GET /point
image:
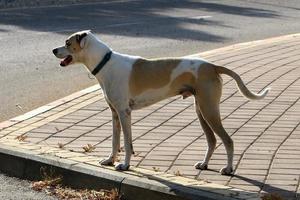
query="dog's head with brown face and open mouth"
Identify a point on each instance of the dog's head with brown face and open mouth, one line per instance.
(71, 52)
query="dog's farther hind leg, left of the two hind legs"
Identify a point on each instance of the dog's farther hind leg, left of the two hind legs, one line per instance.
(211, 140)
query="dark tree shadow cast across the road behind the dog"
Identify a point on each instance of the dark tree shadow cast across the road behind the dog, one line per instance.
(133, 18)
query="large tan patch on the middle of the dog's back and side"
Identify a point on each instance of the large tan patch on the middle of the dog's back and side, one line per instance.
(151, 74)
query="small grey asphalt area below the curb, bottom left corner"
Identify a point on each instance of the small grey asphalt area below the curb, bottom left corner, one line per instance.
(16, 189)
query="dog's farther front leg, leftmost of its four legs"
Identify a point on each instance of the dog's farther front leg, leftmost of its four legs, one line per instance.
(115, 139)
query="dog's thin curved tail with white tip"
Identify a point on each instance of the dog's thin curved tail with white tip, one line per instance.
(241, 85)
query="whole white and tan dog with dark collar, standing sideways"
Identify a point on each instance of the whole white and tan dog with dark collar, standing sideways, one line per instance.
(131, 82)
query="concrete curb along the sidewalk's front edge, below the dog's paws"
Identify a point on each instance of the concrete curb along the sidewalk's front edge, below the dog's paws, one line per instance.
(25, 160)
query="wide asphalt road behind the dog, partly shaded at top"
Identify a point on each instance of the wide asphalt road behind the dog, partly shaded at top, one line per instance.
(30, 75)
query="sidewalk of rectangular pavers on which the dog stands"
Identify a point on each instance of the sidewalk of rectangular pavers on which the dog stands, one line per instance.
(168, 137)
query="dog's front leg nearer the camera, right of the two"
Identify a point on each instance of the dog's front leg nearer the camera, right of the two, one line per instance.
(125, 118)
